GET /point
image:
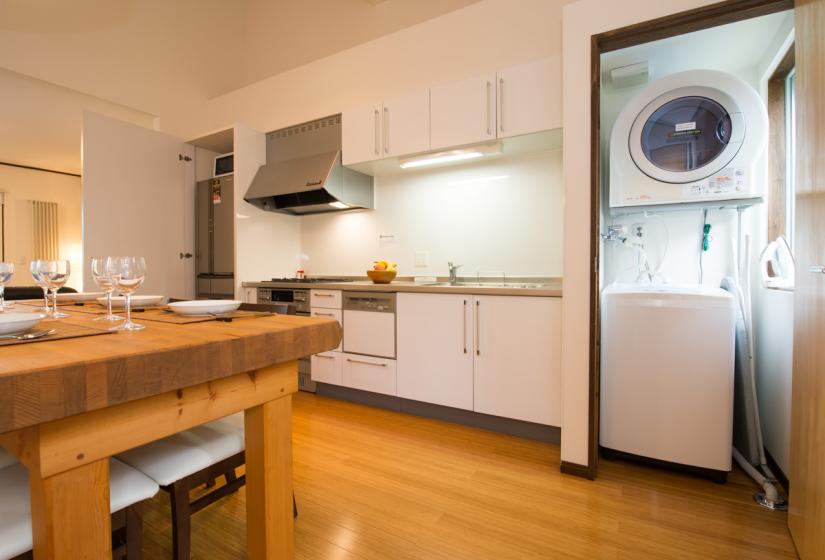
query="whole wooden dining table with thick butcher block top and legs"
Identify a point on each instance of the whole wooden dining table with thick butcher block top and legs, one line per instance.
(68, 405)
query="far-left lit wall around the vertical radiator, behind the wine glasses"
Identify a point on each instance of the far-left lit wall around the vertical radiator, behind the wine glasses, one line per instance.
(23, 185)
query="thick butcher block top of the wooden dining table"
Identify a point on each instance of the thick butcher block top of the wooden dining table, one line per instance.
(48, 380)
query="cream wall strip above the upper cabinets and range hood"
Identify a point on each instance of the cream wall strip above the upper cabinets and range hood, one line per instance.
(479, 38)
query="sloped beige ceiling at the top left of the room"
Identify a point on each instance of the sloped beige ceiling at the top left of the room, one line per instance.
(158, 56)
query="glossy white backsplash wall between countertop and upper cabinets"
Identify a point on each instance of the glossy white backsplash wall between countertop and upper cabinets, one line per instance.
(504, 215)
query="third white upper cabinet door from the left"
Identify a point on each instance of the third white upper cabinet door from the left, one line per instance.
(463, 112)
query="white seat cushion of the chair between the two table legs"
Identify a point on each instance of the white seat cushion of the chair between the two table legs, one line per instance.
(180, 455)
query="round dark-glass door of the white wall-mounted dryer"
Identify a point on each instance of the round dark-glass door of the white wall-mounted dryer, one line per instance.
(686, 135)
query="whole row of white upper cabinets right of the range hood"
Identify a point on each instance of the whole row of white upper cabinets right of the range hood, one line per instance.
(510, 102)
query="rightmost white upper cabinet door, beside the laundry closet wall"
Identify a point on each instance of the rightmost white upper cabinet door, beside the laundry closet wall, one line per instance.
(529, 97)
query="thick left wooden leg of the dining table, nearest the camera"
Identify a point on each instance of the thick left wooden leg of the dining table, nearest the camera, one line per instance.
(70, 513)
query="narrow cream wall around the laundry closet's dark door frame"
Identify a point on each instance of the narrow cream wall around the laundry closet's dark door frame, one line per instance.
(582, 20)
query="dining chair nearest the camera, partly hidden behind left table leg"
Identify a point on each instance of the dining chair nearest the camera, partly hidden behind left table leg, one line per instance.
(128, 488)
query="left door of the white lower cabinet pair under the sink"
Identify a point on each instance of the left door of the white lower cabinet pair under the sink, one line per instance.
(435, 353)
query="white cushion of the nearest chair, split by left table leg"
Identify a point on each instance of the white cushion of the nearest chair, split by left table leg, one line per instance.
(127, 487)
